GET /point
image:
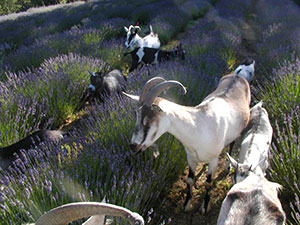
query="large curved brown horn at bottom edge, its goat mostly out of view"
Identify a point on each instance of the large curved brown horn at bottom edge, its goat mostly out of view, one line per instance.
(74, 211)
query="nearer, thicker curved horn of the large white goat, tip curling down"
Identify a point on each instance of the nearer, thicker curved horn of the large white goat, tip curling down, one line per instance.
(156, 90)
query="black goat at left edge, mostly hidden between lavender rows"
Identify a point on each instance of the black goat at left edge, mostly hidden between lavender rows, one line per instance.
(31, 141)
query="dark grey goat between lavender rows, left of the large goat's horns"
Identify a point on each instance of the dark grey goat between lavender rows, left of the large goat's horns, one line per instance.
(103, 86)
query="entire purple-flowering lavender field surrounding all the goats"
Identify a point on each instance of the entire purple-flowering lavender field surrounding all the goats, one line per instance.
(44, 61)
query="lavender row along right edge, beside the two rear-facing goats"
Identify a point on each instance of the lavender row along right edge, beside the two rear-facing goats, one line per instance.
(280, 95)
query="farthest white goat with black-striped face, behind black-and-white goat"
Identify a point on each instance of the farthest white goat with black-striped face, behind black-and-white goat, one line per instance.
(134, 41)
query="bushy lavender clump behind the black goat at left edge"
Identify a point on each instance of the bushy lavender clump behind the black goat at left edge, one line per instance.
(45, 97)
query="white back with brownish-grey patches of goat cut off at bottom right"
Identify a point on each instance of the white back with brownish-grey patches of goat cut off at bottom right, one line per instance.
(252, 201)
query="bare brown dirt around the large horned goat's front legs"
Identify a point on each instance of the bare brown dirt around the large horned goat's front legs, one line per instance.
(173, 208)
